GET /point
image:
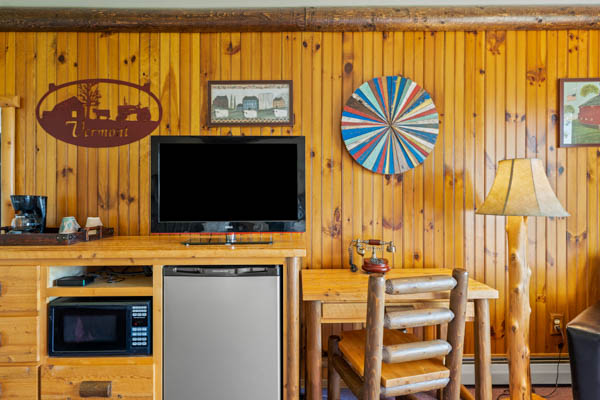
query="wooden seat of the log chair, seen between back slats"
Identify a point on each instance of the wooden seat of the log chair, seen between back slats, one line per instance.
(352, 347)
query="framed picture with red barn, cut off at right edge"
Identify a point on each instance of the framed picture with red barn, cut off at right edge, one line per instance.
(579, 112)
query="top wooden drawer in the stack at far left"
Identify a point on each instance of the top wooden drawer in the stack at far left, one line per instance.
(18, 289)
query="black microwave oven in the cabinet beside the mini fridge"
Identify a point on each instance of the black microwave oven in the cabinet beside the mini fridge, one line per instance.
(100, 326)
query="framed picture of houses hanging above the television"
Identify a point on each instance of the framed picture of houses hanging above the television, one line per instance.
(247, 103)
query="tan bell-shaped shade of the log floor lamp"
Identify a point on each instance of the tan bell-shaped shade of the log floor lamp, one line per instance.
(521, 188)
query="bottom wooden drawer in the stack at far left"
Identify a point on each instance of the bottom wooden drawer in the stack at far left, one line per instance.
(18, 383)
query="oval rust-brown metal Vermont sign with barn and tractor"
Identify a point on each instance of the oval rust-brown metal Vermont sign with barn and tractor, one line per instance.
(92, 117)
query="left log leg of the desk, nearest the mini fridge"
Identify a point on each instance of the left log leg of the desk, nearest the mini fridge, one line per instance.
(314, 351)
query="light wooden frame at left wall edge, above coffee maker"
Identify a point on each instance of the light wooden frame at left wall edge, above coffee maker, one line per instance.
(8, 106)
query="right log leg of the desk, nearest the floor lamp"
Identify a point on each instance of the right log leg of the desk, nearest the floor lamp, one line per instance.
(483, 351)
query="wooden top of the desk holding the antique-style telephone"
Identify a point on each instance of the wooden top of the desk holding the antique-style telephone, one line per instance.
(342, 285)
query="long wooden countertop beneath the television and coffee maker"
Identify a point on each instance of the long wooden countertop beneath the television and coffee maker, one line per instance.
(138, 250)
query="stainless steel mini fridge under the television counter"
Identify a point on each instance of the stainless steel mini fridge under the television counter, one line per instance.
(222, 333)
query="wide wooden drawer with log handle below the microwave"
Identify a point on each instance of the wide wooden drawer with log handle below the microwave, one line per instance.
(101, 381)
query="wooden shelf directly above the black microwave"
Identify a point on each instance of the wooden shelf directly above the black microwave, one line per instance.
(129, 286)
